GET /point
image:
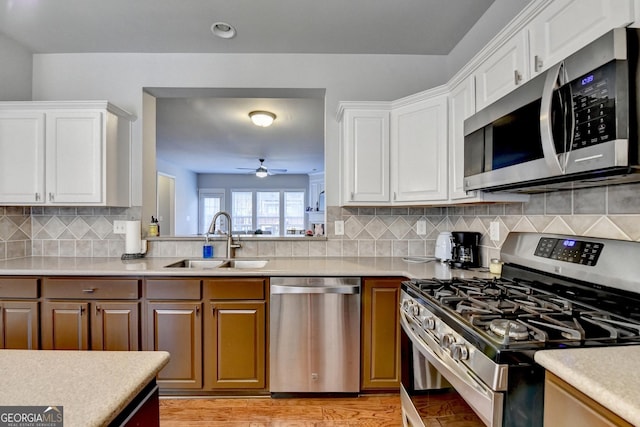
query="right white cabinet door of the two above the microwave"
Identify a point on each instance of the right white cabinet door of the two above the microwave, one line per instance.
(565, 26)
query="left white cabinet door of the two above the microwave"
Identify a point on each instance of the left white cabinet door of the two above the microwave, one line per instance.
(503, 71)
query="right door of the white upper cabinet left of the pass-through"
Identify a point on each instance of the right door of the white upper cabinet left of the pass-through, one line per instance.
(74, 157)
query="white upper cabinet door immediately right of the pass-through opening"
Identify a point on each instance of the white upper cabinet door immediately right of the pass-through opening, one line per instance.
(365, 166)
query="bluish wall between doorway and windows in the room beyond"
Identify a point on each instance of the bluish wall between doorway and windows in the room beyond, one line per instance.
(186, 206)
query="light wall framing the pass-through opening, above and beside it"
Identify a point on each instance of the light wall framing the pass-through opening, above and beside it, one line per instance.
(120, 78)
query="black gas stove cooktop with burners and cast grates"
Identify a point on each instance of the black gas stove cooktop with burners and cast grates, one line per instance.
(512, 314)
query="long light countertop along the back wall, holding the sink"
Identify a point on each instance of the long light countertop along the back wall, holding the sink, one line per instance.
(303, 266)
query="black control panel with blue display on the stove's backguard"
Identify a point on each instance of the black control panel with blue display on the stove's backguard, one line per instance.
(569, 250)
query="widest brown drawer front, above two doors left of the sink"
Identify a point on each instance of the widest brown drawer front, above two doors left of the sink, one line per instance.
(83, 288)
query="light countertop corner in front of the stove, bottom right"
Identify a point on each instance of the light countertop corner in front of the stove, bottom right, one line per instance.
(608, 375)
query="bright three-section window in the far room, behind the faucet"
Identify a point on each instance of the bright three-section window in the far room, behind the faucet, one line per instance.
(275, 212)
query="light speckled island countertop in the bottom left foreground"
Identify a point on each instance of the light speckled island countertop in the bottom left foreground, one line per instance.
(93, 387)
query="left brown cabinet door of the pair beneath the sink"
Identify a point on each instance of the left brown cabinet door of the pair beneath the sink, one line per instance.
(176, 327)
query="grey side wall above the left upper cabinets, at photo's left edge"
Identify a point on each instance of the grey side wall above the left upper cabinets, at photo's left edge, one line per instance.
(15, 71)
